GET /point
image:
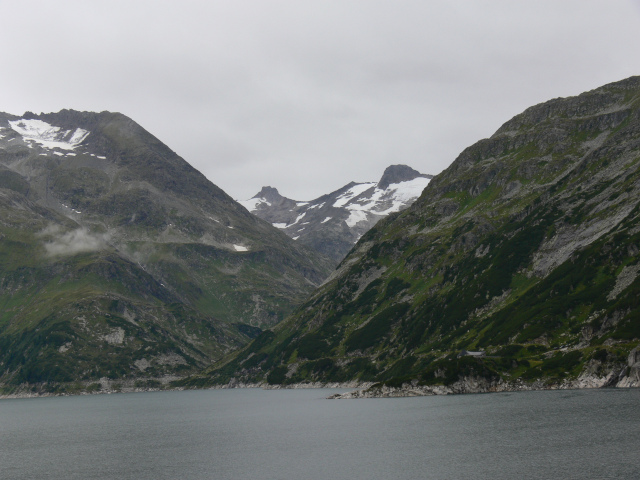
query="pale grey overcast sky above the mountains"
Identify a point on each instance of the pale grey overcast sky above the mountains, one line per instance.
(306, 95)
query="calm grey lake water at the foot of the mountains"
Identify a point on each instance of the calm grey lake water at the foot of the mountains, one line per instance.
(296, 434)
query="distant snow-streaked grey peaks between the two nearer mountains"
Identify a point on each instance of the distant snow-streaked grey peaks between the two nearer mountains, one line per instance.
(333, 223)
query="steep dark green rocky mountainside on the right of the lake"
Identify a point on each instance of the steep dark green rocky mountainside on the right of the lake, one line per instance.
(518, 267)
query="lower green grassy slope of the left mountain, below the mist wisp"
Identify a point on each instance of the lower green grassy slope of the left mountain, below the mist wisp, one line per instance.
(90, 315)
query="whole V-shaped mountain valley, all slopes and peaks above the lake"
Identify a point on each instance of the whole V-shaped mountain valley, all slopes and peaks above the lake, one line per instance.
(516, 268)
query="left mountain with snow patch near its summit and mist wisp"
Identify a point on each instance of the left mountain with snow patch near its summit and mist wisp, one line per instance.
(119, 260)
